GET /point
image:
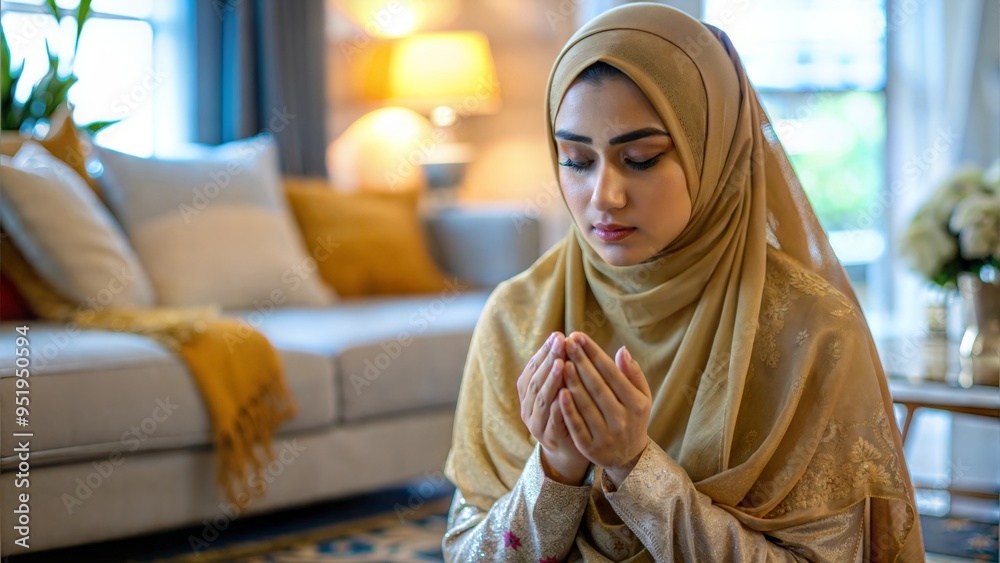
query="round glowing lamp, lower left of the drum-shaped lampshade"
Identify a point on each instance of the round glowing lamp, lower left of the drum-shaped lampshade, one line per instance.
(381, 151)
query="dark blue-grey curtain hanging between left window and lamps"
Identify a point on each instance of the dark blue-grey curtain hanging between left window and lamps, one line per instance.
(260, 67)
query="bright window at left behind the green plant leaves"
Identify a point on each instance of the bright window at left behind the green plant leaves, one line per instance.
(128, 63)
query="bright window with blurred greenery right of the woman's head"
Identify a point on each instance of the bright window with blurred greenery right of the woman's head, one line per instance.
(820, 67)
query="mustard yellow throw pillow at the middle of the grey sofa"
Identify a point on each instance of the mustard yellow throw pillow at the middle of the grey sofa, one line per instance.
(365, 243)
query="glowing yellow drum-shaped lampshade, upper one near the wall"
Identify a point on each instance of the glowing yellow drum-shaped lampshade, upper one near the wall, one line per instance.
(452, 70)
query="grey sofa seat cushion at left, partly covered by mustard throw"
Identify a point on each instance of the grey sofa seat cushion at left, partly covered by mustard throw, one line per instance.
(94, 392)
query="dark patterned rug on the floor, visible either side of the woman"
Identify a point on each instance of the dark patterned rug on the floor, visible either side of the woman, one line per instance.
(382, 527)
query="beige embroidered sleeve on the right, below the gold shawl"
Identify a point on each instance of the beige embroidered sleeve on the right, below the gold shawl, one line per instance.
(659, 503)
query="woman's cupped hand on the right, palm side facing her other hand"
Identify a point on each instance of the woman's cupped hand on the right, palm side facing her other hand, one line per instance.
(607, 404)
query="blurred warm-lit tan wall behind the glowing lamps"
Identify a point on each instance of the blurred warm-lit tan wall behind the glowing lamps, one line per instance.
(511, 161)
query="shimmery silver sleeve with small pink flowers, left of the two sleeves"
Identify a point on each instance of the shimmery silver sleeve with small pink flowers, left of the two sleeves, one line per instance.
(536, 521)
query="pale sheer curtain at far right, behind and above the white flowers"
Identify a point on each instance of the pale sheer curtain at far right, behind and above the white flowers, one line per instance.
(943, 110)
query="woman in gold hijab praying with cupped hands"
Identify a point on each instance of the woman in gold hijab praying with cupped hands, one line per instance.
(687, 376)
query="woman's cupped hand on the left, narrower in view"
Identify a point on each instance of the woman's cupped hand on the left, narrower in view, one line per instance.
(538, 387)
